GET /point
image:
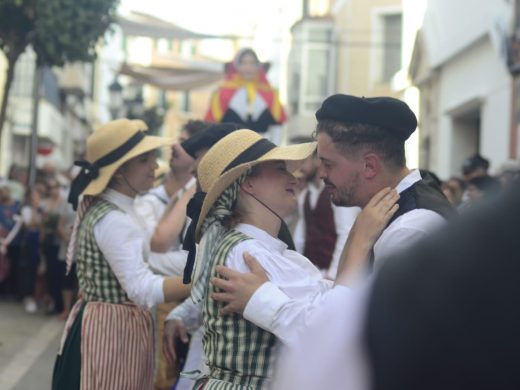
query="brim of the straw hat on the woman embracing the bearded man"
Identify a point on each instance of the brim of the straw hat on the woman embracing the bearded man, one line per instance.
(293, 155)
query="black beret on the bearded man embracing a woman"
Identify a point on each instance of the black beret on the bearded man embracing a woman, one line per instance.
(388, 113)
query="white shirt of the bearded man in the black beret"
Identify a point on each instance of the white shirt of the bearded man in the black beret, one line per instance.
(338, 314)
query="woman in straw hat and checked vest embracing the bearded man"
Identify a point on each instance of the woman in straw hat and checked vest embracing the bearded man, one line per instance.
(247, 189)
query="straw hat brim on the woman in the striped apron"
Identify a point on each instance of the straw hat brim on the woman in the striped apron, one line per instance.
(148, 143)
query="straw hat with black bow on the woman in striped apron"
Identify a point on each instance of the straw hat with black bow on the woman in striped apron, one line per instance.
(109, 147)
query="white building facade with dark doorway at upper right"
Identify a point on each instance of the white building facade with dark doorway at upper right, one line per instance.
(460, 66)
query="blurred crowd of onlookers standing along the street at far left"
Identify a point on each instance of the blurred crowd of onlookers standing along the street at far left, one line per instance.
(35, 225)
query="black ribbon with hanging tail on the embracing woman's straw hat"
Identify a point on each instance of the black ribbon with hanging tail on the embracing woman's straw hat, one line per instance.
(254, 152)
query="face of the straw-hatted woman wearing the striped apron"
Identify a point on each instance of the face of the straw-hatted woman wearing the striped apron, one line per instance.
(140, 171)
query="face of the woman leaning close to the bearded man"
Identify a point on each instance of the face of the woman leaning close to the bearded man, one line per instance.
(274, 186)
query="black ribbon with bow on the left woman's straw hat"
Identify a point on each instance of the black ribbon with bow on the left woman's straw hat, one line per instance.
(90, 171)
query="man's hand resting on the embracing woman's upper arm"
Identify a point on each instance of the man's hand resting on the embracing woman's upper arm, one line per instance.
(238, 287)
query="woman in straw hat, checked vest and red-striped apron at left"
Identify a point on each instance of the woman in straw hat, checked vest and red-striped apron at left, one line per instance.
(108, 338)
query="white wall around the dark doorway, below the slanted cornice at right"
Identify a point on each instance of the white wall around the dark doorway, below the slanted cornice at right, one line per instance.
(477, 74)
